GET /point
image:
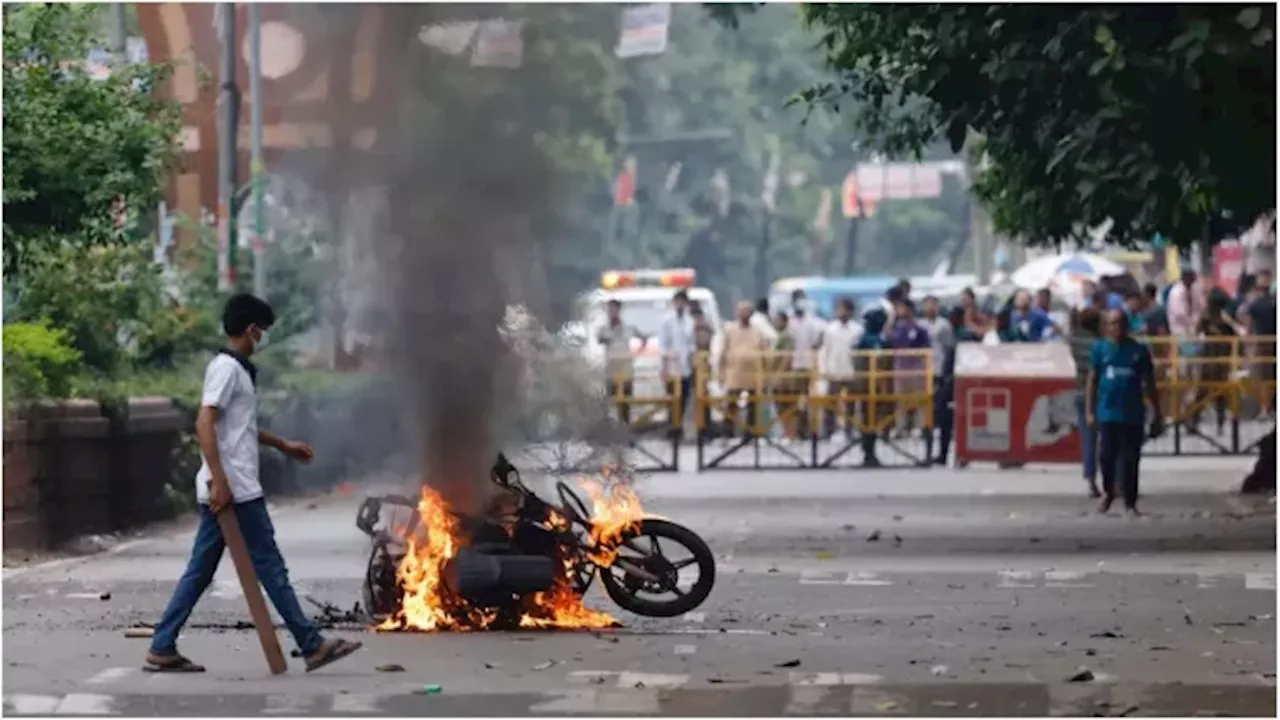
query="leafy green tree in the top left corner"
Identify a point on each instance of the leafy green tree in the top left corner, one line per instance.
(75, 147)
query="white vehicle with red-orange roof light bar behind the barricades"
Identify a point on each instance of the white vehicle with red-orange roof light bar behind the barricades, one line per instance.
(646, 298)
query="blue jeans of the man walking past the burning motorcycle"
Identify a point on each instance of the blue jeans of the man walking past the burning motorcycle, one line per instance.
(208, 552)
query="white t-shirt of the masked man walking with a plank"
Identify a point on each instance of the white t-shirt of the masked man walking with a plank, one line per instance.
(230, 389)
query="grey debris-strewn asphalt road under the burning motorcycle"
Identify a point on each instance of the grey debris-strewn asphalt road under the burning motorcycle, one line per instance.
(984, 594)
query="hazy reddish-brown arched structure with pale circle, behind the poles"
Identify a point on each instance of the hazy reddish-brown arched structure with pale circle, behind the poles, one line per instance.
(326, 71)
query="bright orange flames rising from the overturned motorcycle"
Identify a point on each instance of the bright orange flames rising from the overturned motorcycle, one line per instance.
(428, 604)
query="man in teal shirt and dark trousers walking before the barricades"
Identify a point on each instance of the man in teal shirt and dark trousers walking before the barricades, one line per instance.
(1121, 373)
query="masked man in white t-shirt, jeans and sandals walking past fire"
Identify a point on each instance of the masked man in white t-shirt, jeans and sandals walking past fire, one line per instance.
(228, 480)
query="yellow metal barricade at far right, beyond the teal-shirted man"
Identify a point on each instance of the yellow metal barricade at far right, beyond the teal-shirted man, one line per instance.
(1218, 395)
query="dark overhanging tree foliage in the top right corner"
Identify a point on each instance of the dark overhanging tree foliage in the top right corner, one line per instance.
(1158, 119)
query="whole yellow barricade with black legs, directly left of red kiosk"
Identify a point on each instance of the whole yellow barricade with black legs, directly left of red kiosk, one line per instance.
(784, 418)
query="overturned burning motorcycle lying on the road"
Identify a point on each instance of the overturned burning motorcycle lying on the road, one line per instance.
(529, 567)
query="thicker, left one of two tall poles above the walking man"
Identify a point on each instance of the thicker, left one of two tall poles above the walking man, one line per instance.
(228, 125)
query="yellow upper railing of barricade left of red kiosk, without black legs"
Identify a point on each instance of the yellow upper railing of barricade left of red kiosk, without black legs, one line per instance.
(756, 393)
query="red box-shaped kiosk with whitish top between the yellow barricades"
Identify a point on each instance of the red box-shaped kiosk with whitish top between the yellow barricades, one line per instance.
(1016, 404)
